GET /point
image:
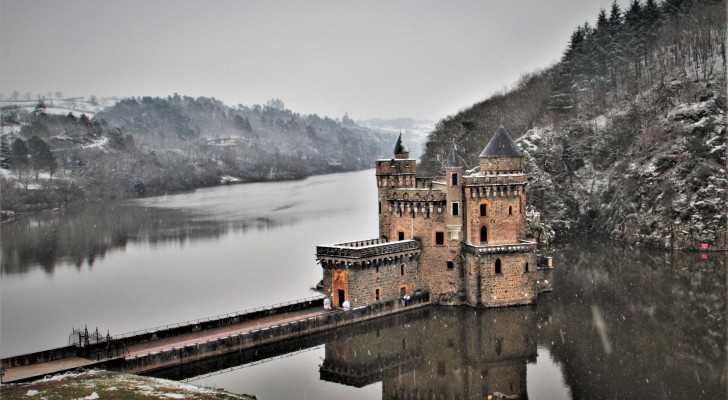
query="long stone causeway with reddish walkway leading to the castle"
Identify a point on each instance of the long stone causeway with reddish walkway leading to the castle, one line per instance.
(175, 345)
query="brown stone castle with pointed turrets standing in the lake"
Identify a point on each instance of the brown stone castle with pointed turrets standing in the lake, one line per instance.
(461, 237)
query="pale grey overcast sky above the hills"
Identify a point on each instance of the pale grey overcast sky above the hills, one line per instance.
(421, 59)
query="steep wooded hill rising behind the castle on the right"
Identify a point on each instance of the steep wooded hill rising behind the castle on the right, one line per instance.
(624, 137)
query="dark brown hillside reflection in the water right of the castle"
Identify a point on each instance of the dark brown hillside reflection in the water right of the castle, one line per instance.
(639, 323)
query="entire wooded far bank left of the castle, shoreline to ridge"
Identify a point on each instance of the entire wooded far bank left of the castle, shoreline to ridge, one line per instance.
(151, 145)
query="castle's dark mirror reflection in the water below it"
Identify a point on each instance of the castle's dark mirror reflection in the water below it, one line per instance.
(449, 353)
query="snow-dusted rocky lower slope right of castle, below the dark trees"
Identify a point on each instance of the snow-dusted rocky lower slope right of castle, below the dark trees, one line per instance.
(662, 183)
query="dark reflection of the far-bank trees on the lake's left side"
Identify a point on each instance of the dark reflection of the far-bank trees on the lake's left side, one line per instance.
(82, 235)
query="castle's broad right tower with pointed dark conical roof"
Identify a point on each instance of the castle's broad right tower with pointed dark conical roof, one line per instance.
(500, 263)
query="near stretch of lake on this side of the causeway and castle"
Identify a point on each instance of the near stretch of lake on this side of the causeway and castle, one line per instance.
(621, 322)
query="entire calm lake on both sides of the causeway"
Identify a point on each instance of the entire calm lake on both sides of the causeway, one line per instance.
(621, 323)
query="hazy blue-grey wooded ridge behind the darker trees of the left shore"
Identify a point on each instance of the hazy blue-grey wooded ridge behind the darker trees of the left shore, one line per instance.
(271, 137)
